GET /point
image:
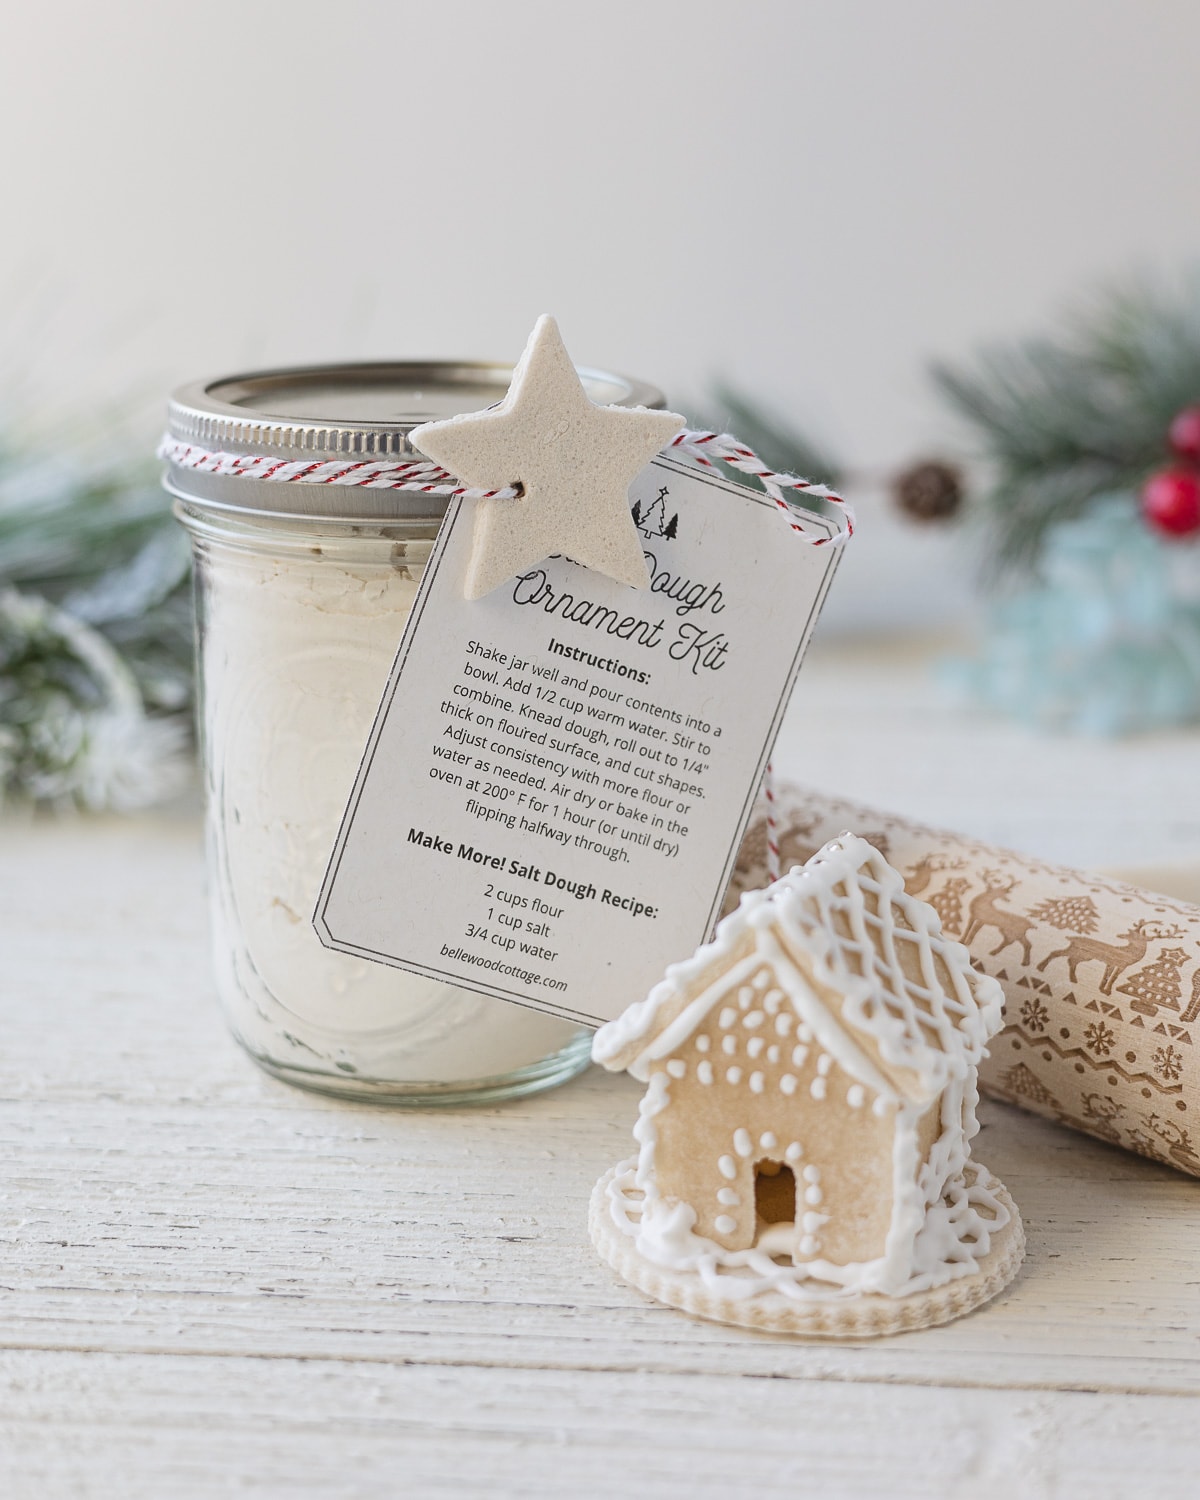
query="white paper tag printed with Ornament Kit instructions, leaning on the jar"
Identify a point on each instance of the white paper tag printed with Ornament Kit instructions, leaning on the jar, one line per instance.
(560, 775)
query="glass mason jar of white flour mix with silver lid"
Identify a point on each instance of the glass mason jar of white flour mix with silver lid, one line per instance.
(302, 596)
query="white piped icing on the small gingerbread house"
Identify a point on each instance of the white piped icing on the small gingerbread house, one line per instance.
(938, 1231)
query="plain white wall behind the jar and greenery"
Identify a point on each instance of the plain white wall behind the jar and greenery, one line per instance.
(809, 200)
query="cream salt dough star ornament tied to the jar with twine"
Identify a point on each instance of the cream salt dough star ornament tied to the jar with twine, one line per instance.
(575, 463)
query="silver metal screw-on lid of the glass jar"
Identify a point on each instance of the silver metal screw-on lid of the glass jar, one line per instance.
(328, 412)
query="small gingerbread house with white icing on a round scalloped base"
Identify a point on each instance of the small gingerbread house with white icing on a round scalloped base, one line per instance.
(805, 1141)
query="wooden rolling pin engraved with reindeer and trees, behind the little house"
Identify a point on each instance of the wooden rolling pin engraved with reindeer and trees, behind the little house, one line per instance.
(1102, 980)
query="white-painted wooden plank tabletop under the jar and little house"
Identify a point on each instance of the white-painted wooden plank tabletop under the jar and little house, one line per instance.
(212, 1283)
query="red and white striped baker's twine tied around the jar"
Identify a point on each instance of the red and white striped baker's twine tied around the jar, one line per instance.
(419, 476)
